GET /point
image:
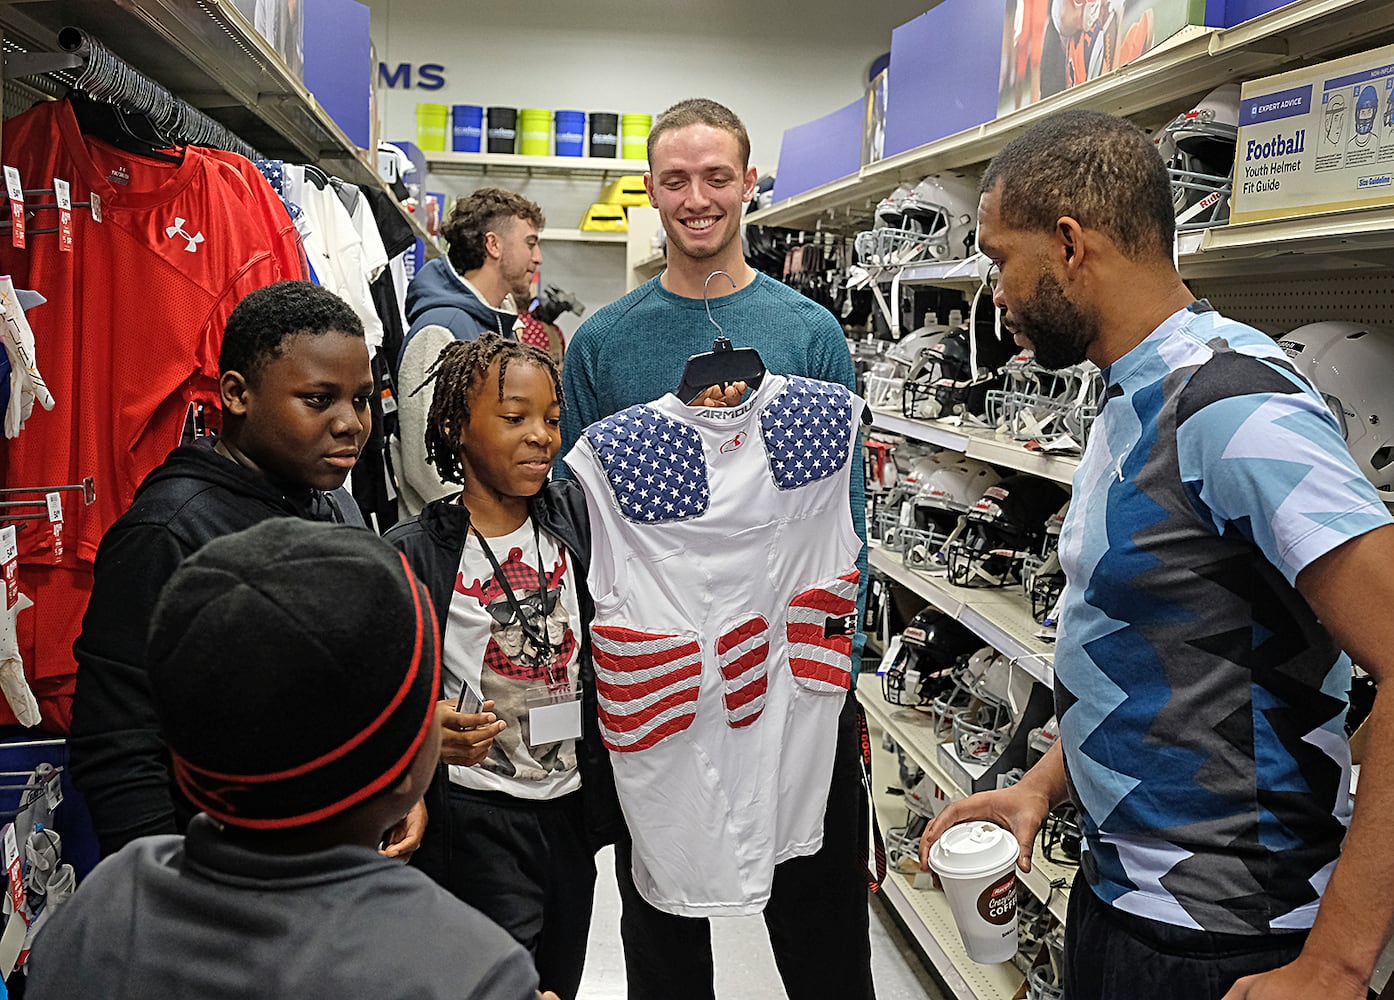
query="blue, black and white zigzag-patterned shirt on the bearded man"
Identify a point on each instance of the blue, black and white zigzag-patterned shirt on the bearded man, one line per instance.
(1201, 702)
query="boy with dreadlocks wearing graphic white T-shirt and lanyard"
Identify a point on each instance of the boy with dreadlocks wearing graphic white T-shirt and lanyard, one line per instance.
(530, 796)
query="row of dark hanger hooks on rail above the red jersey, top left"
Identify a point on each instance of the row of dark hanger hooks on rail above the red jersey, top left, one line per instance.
(109, 79)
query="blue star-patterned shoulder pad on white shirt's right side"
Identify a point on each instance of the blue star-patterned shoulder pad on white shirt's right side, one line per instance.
(806, 432)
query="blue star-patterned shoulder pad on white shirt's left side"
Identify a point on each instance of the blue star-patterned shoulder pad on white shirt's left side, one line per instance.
(654, 465)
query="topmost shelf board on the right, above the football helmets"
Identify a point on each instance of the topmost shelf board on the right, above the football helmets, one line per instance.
(1156, 87)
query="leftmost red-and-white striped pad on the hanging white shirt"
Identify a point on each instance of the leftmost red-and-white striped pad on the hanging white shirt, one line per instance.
(648, 685)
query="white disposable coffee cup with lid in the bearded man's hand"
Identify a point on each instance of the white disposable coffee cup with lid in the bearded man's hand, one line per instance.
(976, 864)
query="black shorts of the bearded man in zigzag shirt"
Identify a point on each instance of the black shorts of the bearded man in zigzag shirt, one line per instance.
(1117, 956)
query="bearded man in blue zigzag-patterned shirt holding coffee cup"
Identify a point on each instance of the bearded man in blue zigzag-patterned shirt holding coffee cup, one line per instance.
(1222, 552)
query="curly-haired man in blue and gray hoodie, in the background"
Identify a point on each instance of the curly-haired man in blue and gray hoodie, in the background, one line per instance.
(479, 287)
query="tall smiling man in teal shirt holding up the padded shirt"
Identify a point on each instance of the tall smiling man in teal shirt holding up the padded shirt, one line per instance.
(632, 352)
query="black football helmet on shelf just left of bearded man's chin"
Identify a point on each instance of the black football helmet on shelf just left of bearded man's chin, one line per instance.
(957, 376)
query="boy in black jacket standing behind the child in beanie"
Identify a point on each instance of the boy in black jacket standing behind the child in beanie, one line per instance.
(296, 381)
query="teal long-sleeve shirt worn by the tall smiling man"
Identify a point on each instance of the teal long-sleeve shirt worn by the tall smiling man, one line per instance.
(634, 352)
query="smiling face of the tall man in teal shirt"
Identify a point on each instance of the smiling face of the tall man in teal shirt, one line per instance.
(699, 183)
